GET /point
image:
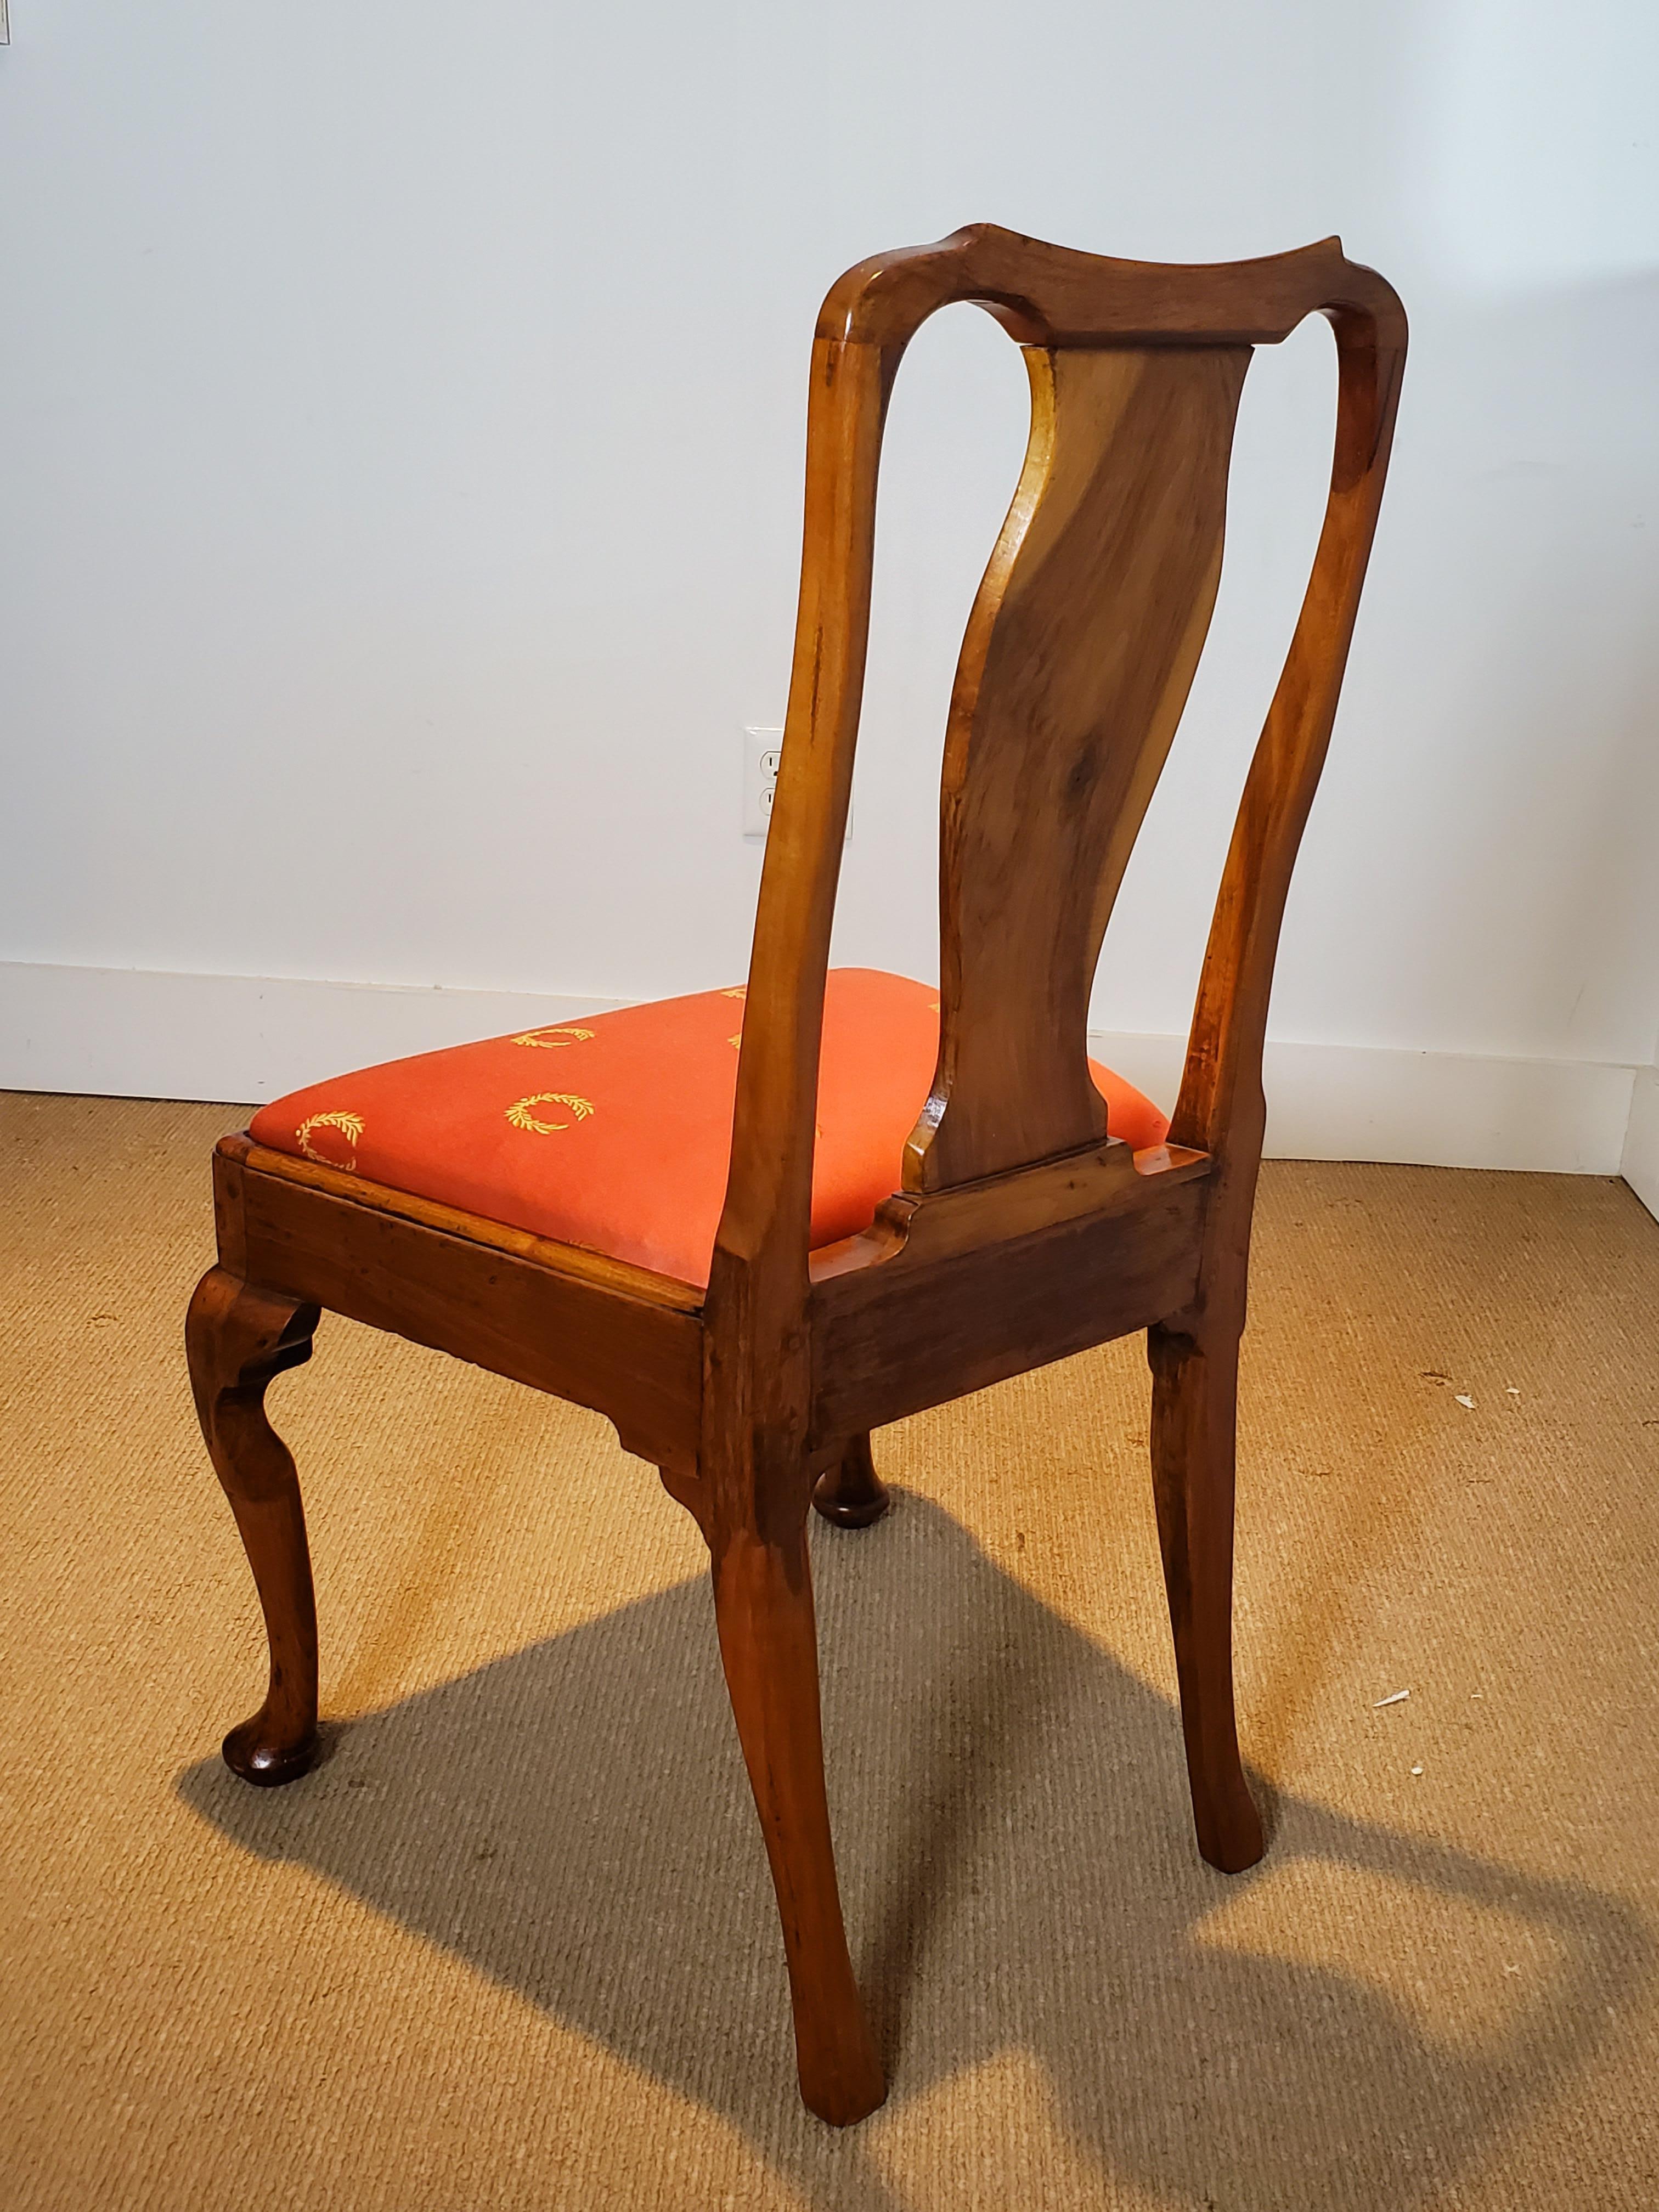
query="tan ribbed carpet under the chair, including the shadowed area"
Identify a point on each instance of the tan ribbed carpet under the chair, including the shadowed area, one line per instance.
(514, 1948)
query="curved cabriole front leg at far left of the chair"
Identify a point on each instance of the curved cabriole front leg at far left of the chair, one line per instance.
(238, 1339)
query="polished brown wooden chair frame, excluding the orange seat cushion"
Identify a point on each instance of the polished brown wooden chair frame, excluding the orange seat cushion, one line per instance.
(1021, 1231)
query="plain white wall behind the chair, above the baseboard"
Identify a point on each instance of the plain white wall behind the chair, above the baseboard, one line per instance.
(404, 413)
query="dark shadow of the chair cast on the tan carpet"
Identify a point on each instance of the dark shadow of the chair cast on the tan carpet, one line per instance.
(1019, 1875)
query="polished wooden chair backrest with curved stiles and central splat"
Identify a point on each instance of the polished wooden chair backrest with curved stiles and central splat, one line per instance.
(1074, 676)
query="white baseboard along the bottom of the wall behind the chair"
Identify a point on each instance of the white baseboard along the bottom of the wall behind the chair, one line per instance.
(249, 1039)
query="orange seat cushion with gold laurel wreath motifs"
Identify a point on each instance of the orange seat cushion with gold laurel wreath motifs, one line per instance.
(616, 1131)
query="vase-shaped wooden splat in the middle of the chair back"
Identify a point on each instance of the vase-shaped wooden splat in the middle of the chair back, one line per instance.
(1074, 676)
